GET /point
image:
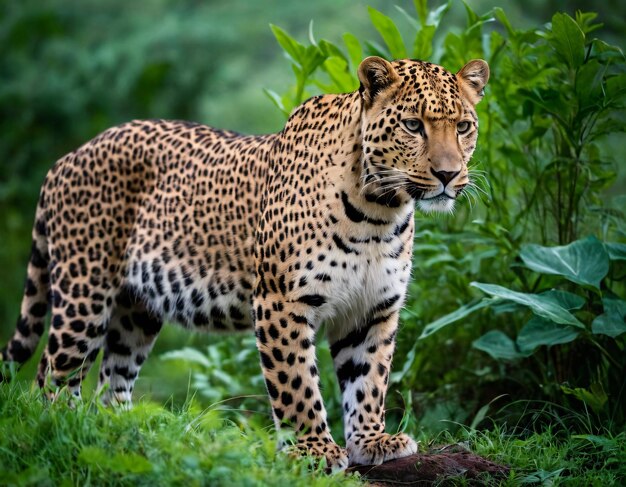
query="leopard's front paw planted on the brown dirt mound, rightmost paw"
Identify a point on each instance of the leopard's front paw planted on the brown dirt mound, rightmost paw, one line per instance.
(377, 448)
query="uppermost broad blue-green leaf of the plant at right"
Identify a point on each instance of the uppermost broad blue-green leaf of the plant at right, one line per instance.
(583, 261)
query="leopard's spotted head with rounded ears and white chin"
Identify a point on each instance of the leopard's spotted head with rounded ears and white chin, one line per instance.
(419, 129)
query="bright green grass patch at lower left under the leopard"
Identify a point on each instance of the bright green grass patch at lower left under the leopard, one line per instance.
(52, 444)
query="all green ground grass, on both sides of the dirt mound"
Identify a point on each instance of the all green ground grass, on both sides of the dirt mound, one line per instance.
(53, 444)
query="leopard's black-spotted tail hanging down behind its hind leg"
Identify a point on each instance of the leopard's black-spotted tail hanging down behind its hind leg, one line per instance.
(36, 298)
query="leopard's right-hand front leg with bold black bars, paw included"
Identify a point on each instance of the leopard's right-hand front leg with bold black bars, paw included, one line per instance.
(362, 359)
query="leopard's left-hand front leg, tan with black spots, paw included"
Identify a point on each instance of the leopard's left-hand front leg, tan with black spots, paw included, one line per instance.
(286, 341)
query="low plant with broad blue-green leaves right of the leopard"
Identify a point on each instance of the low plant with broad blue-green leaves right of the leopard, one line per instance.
(578, 306)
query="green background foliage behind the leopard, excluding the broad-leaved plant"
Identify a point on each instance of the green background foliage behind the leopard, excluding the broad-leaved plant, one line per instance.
(550, 159)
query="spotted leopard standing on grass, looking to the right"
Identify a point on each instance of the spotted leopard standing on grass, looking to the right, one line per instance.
(157, 220)
